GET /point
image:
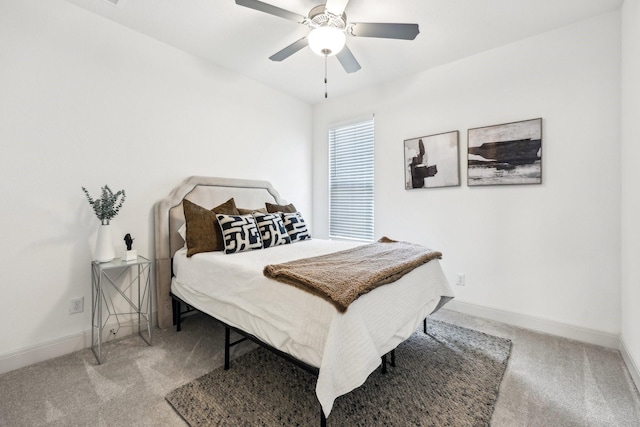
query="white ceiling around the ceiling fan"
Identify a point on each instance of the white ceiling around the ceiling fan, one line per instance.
(242, 39)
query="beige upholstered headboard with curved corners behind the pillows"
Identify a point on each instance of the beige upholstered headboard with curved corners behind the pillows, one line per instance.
(169, 217)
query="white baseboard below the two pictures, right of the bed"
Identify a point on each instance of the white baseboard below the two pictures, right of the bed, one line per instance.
(537, 324)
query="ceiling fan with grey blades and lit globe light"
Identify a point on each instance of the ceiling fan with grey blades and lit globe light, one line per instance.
(329, 28)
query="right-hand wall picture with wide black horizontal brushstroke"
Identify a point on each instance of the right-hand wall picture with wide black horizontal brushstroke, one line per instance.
(509, 153)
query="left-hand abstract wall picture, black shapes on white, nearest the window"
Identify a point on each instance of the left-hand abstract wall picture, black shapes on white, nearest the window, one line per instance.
(432, 161)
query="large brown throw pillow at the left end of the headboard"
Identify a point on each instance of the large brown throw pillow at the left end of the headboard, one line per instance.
(203, 232)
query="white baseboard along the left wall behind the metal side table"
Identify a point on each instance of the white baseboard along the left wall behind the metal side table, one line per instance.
(59, 347)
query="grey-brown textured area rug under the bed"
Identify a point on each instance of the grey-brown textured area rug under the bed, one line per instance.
(450, 377)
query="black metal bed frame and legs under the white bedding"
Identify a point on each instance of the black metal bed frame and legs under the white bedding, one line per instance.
(177, 320)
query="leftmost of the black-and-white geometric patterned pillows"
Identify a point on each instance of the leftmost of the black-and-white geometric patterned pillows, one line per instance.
(240, 233)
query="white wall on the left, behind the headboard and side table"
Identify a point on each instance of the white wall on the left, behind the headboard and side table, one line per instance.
(86, 102)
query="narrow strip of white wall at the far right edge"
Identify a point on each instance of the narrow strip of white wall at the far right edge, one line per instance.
(630, 194)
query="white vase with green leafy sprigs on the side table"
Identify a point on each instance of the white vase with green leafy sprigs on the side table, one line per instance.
(105, 208)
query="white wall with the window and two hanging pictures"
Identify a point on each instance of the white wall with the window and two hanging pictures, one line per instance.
(548, 252)
